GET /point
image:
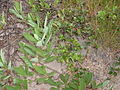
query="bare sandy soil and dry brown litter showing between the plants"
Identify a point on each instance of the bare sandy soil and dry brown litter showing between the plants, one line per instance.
(97, 61)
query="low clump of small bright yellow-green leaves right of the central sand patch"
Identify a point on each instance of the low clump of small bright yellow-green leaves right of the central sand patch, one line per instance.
(68, 52)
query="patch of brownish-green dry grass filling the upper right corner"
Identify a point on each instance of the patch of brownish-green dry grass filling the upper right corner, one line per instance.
(106, 27)
